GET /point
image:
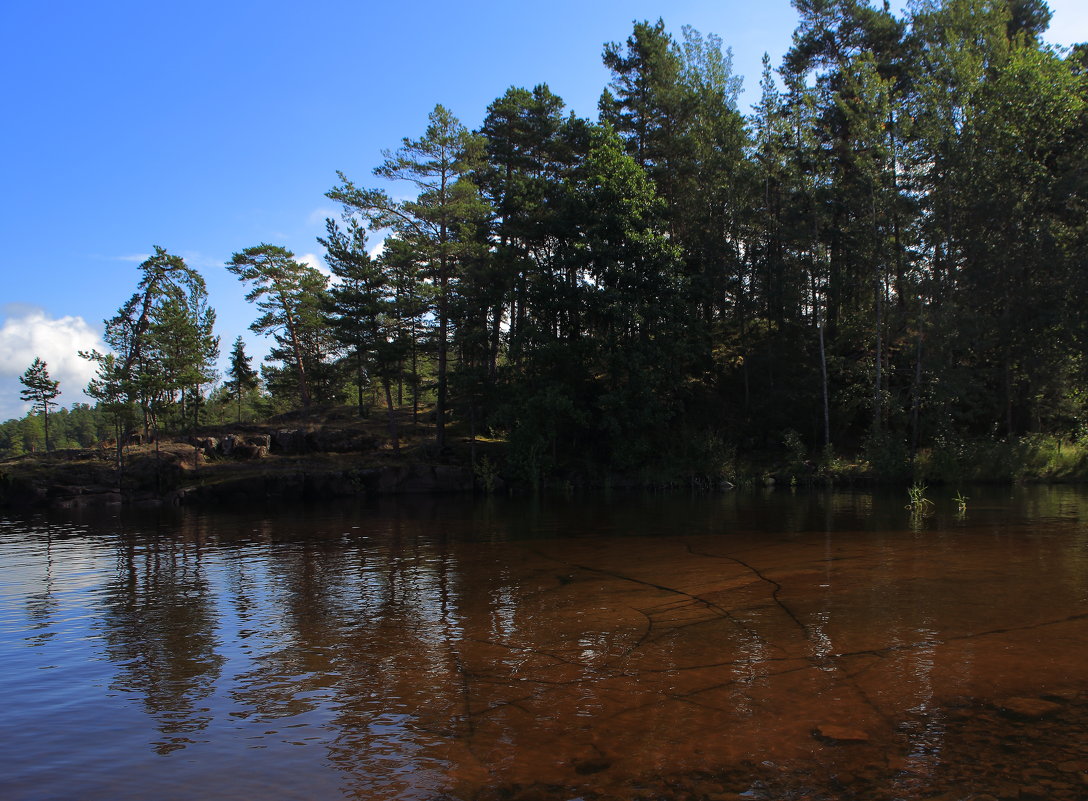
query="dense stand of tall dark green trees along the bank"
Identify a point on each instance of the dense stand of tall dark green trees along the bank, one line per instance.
(885, 261)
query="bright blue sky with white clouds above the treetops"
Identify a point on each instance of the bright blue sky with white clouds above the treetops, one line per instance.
(206, 128)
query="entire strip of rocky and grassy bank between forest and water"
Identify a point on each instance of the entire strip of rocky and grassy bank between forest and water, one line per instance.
(330, 452)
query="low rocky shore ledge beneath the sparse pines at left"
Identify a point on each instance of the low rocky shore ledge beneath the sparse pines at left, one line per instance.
(237, 467)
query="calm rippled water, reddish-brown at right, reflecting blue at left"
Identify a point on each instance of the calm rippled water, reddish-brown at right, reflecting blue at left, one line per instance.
(738, 647)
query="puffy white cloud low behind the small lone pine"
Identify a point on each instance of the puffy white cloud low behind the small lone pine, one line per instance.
(29, 334)
